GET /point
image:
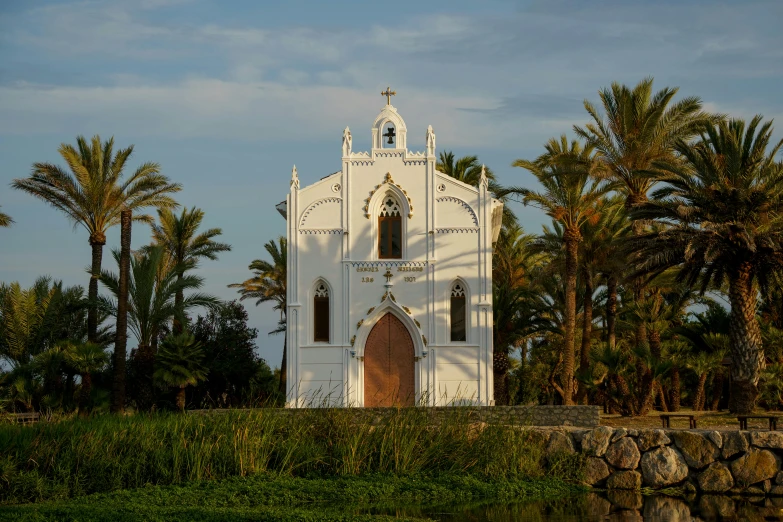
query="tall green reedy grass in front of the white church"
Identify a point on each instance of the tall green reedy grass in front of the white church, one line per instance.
(107, 453)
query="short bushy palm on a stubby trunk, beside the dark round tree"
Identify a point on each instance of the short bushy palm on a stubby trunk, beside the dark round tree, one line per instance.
(180, 364)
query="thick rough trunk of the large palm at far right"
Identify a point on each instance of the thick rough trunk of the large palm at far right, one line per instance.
(746, 349)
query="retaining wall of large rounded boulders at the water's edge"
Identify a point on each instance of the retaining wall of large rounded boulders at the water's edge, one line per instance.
(736, 462)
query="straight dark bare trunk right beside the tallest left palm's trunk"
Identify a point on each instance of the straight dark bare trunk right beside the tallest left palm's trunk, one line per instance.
(121, 335)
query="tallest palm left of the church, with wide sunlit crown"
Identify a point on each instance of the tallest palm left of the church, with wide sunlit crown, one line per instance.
(94, 193)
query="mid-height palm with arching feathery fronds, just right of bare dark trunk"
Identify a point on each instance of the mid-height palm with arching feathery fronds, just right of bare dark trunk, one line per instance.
(151, 295)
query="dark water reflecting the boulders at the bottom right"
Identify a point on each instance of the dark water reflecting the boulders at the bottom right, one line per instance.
(612, 506)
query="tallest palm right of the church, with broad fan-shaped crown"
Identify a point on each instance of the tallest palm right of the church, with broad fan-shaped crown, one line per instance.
(638, 129)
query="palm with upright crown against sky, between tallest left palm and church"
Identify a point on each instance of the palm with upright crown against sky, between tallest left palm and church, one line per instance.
(183, 246)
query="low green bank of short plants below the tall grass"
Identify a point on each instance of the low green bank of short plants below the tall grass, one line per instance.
(267, 497)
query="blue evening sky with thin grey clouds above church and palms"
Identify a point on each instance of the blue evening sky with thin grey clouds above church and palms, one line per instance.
(227, 96)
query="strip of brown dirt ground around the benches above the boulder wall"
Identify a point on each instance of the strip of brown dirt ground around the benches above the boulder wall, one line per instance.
(715, 420)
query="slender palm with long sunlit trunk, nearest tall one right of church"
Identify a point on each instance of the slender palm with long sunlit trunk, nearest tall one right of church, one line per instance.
(570, 197)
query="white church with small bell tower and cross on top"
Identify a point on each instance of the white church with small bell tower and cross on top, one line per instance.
(389, 279)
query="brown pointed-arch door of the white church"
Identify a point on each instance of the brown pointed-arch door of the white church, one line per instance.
(389, 365)
